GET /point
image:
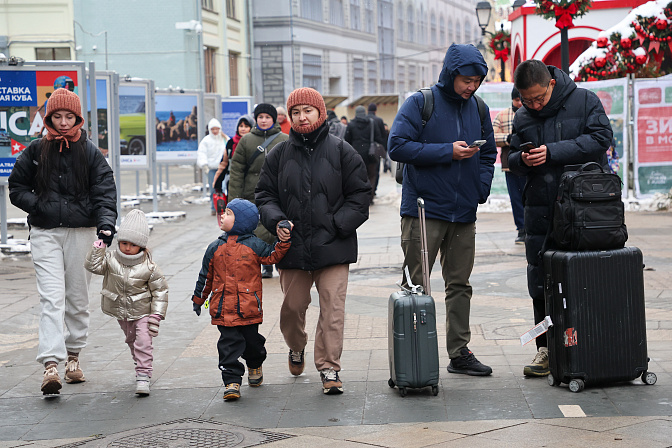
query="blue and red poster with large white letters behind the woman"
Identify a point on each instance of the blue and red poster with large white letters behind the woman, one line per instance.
(24, 92)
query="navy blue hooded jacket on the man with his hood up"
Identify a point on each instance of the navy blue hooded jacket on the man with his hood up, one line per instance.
(452, 189)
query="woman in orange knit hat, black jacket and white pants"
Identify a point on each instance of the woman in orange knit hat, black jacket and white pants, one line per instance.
(67, 188)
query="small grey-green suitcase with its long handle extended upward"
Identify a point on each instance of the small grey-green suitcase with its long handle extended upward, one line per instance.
(413, 347)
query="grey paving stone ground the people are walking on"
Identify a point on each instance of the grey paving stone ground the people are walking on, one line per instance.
(185, 406)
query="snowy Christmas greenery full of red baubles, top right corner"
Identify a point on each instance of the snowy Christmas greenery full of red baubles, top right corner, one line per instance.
(641, 52)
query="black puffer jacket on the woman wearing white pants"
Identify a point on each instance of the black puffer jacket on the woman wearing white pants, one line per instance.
(61, 208)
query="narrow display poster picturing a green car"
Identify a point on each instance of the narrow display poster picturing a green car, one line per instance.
(133, 125)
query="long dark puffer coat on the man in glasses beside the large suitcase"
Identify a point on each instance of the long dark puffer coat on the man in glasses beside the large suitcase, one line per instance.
(575, 129)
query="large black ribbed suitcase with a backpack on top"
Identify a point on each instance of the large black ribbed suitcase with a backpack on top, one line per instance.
(596, 302)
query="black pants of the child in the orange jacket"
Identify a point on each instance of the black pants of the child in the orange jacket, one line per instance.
(236, 342)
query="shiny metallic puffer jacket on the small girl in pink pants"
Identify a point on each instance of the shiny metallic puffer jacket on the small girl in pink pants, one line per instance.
(129, 292)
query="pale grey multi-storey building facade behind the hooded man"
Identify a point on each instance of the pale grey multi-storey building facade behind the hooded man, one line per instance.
(355, 48)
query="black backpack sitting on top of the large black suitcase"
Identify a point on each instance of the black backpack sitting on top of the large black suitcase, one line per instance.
(589, 213)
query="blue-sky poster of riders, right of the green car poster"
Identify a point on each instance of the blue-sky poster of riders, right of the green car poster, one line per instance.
(176, 127)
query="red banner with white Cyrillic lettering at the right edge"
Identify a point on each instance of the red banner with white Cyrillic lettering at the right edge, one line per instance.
(653, 136)
